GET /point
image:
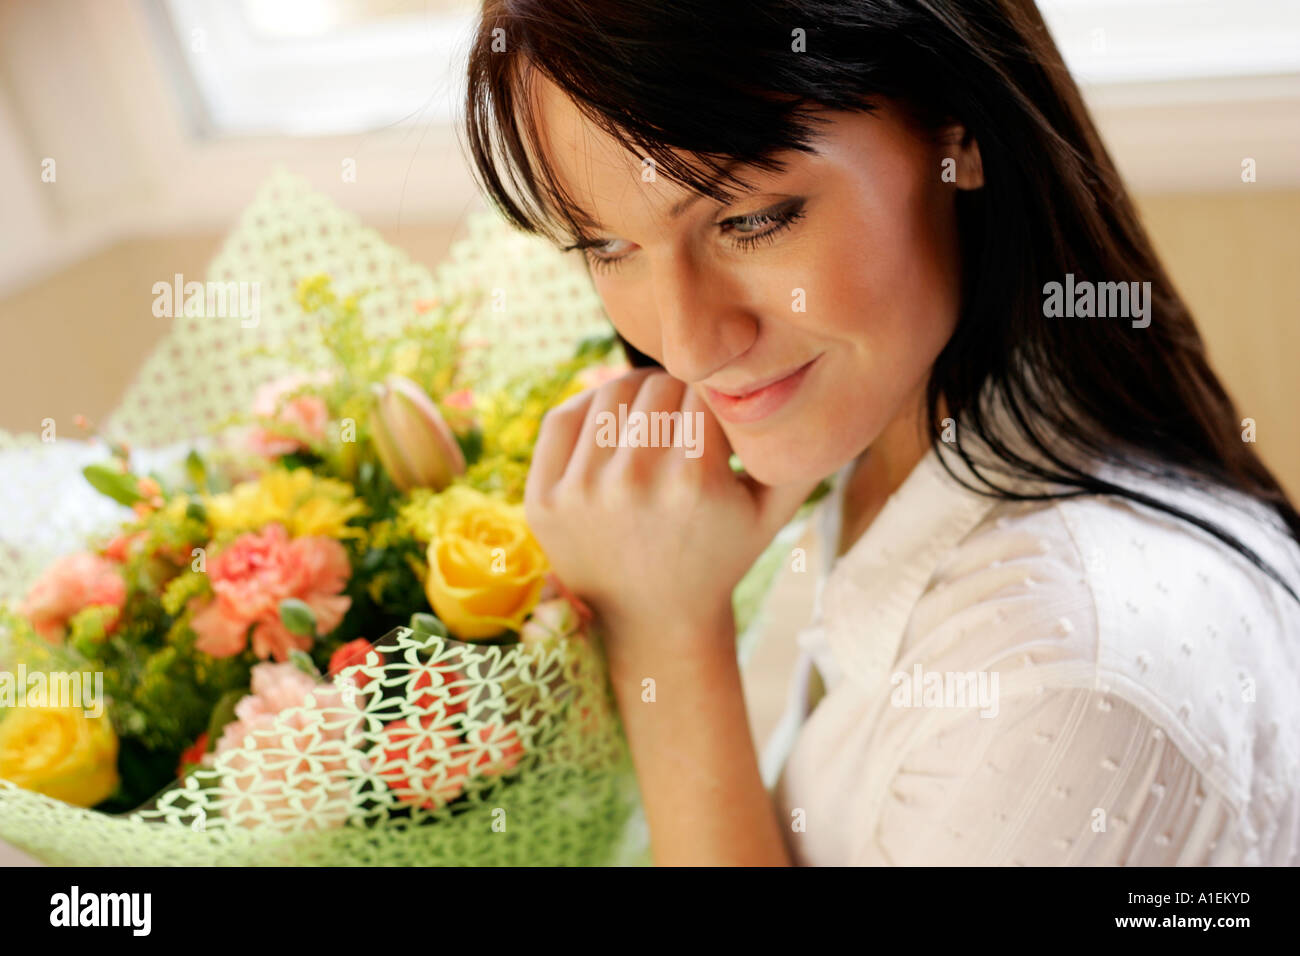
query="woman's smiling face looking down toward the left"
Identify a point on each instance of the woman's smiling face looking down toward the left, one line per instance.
(809, 312)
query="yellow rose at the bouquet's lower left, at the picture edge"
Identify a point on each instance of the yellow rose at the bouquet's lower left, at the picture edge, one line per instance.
(60, 752)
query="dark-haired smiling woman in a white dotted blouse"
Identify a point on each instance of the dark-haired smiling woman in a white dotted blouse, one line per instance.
(1063, 620)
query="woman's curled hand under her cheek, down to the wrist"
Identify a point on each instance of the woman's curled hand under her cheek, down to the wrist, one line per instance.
(648, 535)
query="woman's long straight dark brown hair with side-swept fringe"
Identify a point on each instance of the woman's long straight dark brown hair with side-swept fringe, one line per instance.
(726, 83)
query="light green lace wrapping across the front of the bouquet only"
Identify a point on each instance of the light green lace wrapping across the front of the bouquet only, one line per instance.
(331, 782)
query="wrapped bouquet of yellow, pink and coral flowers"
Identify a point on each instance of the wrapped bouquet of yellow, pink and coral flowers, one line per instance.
(328, 637)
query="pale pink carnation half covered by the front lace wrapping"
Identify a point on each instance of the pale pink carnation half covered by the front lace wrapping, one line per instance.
(284, 763)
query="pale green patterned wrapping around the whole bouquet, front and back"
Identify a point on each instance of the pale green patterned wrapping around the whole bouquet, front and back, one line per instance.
(532, 764)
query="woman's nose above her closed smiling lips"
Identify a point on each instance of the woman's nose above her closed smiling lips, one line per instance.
(703, 323)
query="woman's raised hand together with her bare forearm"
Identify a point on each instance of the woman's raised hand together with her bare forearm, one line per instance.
(656, 539)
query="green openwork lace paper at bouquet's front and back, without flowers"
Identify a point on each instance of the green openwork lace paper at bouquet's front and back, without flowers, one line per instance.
(574, 799)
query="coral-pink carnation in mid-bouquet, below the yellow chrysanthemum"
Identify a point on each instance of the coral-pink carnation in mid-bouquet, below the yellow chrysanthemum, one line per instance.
(254, 574)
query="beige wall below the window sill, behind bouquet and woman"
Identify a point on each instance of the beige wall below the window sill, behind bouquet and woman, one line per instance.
(72, 341)
